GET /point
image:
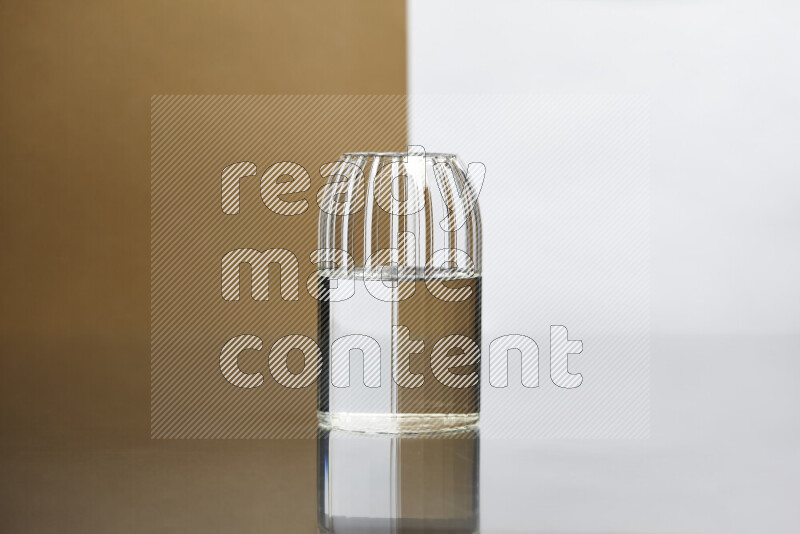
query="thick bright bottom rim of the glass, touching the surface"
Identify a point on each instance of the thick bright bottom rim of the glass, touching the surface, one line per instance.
(395, 423)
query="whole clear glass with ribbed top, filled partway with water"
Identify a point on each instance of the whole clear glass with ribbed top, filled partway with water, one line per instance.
(400, 292)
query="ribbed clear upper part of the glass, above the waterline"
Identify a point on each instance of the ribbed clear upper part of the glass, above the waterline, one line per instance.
(399, 209)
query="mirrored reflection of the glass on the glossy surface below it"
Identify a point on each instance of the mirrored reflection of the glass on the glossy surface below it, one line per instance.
(372, 483)
